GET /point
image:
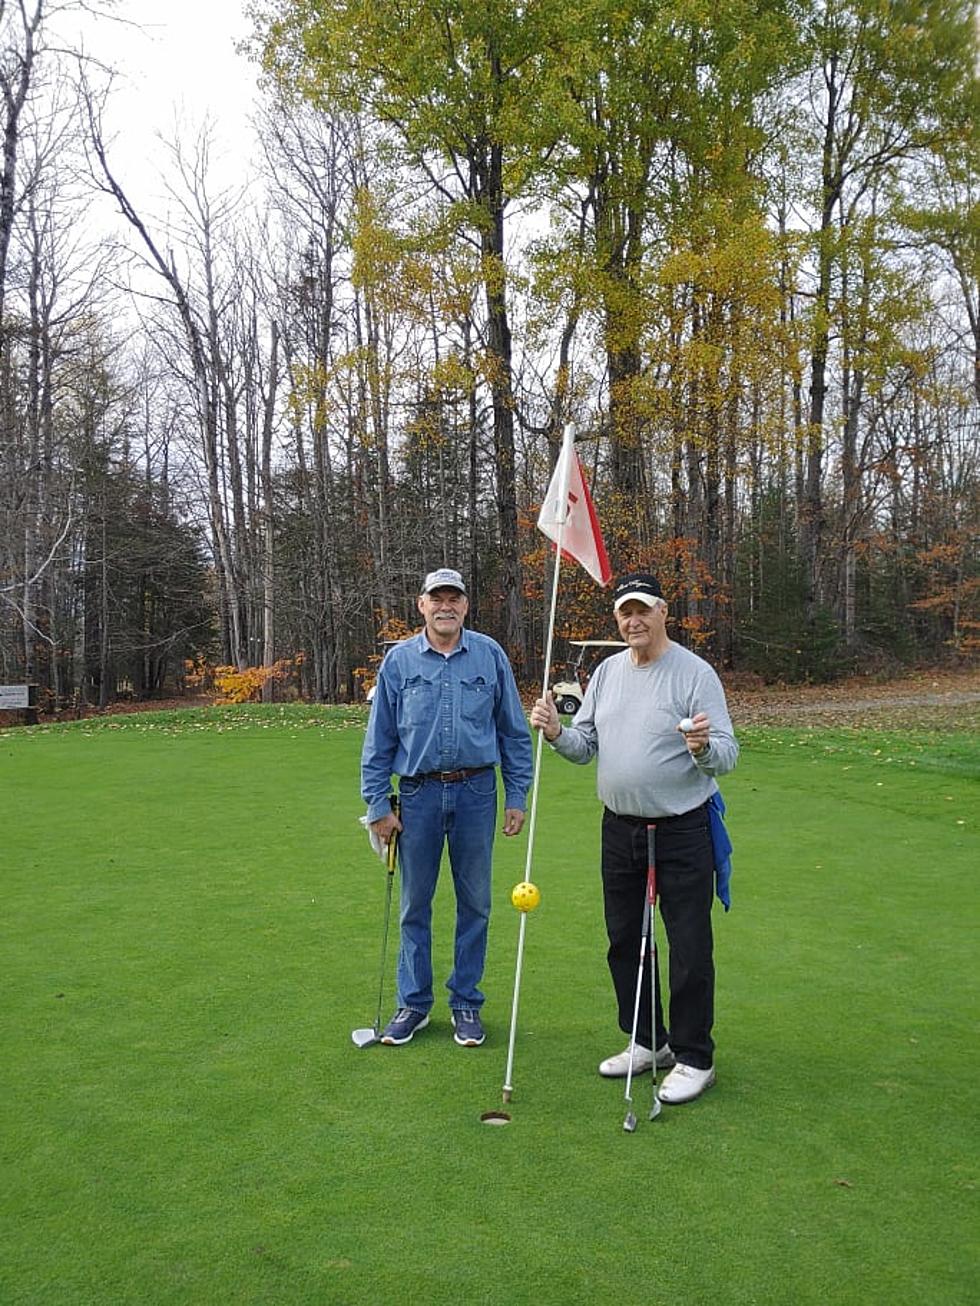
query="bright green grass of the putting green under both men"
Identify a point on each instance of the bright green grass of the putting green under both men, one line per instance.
(191, 929)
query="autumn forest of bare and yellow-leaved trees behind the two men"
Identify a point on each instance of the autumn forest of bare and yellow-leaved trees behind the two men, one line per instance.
(736, 244)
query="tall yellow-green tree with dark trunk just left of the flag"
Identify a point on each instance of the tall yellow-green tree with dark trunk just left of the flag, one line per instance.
(468, 96)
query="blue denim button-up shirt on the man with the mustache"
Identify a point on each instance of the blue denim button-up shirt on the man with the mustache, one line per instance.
(432, 712)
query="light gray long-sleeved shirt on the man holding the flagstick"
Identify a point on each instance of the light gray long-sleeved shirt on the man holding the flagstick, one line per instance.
(629, 718)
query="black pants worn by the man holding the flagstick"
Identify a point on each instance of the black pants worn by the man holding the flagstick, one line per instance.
(685, 867)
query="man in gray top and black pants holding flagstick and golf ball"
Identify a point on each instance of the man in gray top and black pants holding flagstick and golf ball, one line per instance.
(653, 772)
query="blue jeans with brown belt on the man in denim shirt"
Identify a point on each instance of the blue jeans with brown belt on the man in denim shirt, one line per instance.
(433, 814)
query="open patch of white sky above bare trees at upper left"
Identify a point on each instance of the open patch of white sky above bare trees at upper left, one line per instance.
(177, 65)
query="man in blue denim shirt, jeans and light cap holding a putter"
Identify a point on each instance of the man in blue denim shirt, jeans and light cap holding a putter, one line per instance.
(446, 714)
